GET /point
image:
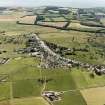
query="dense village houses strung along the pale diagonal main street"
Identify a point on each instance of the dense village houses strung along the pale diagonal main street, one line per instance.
(51, 59)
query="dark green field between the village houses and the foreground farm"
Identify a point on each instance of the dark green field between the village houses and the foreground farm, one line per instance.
(57, 76)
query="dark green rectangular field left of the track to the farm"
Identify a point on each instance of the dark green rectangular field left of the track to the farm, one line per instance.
(26, 88)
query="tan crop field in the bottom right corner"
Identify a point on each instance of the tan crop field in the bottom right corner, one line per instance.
(94, 96)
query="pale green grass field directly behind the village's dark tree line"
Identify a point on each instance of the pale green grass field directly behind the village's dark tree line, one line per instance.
(64, 38)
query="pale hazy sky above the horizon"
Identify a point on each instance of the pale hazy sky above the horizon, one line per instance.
(68, 3)
